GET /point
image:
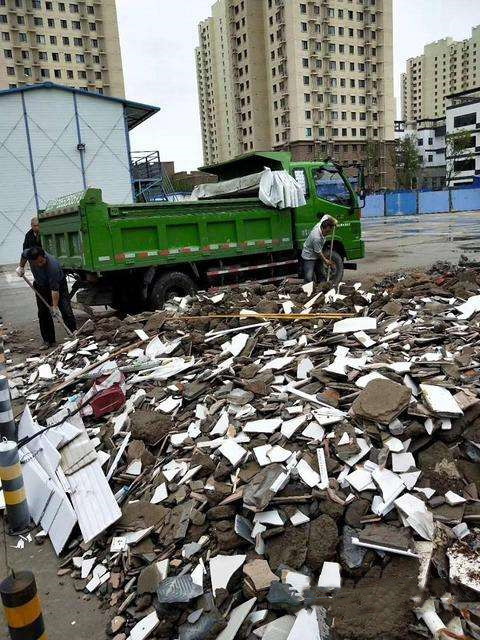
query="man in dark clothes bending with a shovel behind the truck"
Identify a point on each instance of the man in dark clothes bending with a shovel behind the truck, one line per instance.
(51, 284)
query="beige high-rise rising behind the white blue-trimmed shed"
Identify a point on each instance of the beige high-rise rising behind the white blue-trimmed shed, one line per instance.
(70, 43)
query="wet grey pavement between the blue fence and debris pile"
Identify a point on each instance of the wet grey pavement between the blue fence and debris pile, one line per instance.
(404, 242)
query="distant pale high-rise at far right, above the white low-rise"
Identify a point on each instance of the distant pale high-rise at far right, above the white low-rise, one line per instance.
(445, 67)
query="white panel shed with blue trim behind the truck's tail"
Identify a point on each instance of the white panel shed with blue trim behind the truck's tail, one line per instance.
(55, 141)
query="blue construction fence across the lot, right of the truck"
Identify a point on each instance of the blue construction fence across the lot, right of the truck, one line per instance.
(407, 203)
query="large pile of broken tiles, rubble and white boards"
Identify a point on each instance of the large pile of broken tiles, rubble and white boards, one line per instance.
(268, 476)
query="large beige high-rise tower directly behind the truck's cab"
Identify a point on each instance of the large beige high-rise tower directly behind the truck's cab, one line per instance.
(313, 77)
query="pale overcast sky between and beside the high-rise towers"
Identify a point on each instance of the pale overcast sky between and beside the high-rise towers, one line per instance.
(158, 38)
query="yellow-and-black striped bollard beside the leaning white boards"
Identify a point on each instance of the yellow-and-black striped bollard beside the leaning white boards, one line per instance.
(13, 489)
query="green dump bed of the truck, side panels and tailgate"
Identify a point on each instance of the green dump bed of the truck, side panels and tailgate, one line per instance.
(85, 233)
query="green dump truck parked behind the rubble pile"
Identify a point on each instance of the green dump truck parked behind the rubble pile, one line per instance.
(139, 255)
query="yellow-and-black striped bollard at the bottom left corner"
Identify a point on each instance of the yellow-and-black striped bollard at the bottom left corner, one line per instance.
(21, 604)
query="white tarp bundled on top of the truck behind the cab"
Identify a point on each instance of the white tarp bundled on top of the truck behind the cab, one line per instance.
(274, 188)
